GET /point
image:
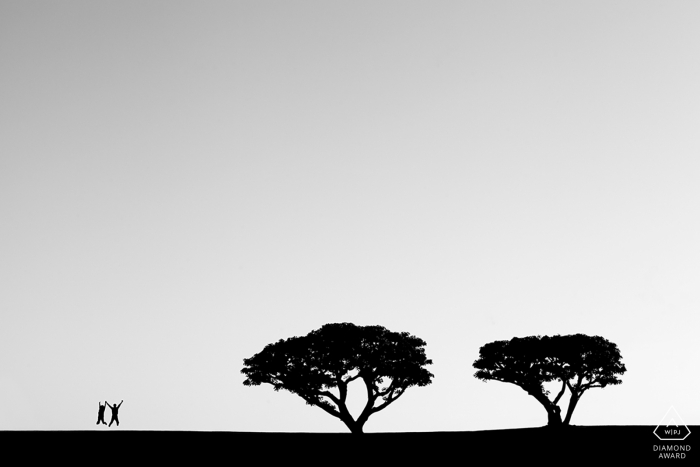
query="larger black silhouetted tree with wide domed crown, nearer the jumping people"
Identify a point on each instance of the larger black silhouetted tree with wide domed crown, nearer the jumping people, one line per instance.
(333, 356)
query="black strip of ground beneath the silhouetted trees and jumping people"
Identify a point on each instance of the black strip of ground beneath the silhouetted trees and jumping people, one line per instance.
(606, 445)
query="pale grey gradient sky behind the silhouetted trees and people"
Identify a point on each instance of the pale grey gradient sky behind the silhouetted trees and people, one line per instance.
(183, 183)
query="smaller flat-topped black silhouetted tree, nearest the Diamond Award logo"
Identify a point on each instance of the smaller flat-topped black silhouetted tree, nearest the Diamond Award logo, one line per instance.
(578, 361)
